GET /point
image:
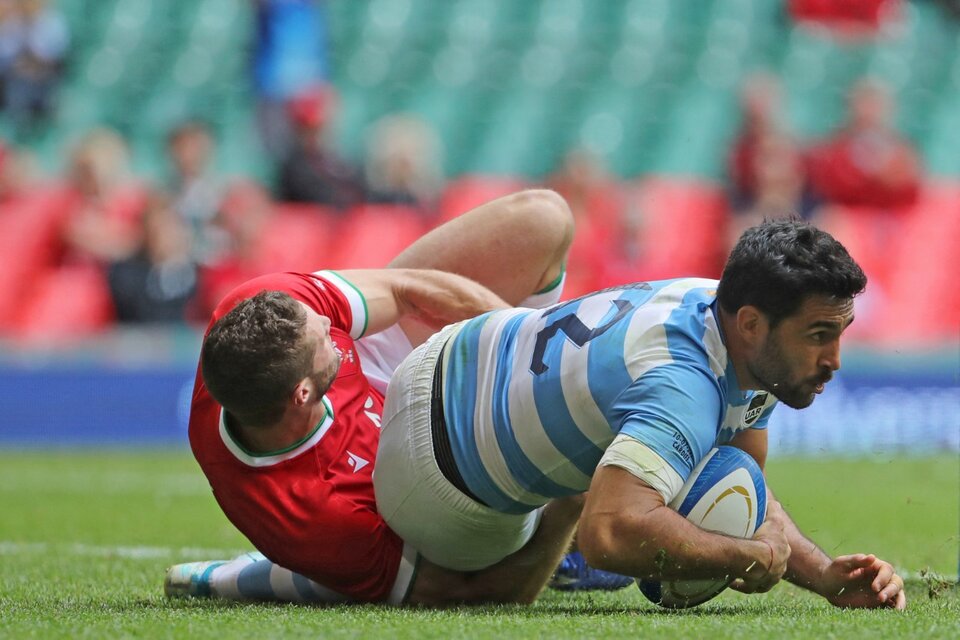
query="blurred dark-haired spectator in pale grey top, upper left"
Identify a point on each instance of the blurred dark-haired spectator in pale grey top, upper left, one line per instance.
(197, 192)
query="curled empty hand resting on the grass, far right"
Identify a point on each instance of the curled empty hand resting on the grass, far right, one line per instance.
(862, 581)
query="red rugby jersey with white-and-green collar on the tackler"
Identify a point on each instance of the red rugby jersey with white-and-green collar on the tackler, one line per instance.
(310, 507)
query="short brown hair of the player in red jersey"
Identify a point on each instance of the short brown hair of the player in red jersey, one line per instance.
(254, 356)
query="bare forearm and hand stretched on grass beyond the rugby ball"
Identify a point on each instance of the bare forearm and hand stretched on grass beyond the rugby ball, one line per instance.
(850, 581)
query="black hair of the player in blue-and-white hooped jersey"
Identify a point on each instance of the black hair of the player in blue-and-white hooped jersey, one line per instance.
(777, 264)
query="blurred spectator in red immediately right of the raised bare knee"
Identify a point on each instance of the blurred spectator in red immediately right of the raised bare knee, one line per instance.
(604, 244)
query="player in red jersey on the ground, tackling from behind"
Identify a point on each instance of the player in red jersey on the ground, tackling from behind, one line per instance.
(286, 411)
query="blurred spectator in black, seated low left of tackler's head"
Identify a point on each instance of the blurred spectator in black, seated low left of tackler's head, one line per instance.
(157, 282)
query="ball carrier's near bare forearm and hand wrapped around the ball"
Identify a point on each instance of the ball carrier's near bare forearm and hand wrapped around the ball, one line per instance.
(627, 528)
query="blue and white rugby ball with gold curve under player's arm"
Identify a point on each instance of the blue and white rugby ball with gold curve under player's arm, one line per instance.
(725, 493)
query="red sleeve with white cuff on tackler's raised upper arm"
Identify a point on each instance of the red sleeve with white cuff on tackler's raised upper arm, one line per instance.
(326, 292)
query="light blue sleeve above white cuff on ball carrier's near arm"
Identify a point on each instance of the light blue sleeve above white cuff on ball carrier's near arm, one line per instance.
(674, 410)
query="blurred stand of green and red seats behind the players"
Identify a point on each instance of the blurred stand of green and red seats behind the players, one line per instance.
(649, 85)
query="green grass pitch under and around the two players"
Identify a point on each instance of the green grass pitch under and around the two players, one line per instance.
(85, 538)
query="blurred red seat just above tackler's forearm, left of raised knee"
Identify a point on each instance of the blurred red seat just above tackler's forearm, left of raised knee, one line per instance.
(372, 235)
